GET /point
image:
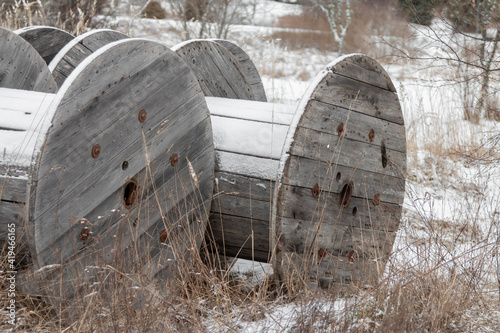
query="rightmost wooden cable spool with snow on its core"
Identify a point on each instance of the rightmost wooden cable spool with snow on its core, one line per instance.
(339, 160)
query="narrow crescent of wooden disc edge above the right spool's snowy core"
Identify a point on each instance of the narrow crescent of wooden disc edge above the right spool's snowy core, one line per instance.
(248, 67)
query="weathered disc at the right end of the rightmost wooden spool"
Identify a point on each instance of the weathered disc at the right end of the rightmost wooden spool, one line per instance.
(343, 176)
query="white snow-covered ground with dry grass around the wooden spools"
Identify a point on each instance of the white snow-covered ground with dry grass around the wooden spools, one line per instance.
(452, 206)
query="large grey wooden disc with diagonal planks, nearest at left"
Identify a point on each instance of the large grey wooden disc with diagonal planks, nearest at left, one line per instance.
(126, 170)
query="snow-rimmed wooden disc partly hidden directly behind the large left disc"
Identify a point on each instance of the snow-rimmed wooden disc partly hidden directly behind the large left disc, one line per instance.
(75, 51)
